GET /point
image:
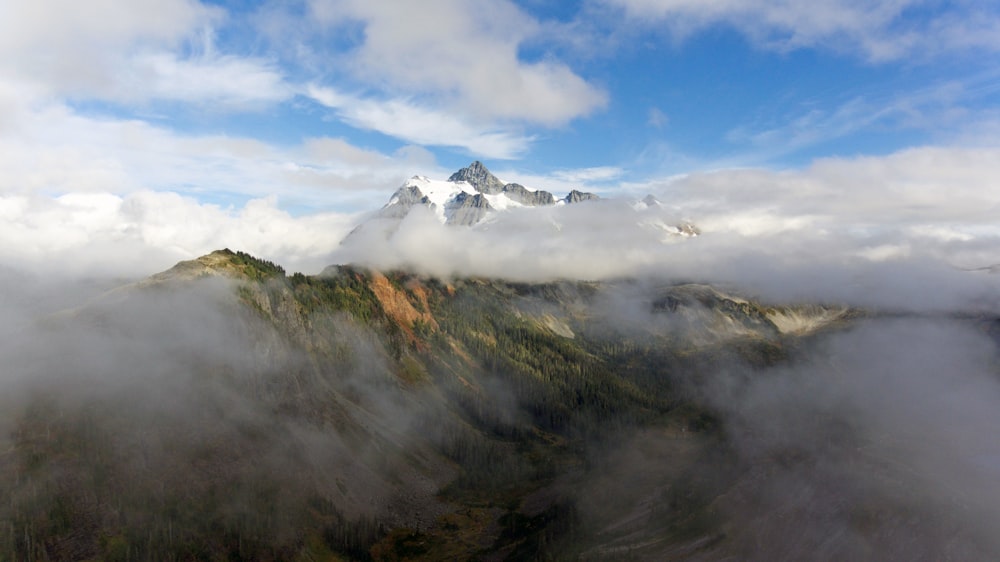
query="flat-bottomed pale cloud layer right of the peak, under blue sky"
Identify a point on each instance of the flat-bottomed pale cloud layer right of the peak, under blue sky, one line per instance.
(921, 186)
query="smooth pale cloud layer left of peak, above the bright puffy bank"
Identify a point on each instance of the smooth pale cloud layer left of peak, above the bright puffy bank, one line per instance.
(52, 148)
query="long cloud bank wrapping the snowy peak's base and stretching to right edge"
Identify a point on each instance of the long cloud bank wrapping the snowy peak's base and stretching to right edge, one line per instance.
(896, 232)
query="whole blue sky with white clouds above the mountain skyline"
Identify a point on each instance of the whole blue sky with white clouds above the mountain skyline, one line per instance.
(137, 133)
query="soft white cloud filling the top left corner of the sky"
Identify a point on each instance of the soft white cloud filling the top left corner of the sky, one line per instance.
(130, 52)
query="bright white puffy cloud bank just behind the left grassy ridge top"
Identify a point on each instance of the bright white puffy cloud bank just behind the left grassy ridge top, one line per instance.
(102, 234)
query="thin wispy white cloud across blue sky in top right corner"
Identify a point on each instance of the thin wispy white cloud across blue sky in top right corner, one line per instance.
(878, 31)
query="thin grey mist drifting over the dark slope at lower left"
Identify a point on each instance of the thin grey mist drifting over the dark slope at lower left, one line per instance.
(184, 371)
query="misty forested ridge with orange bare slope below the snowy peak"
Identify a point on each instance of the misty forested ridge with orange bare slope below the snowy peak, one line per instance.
(361, 416)
